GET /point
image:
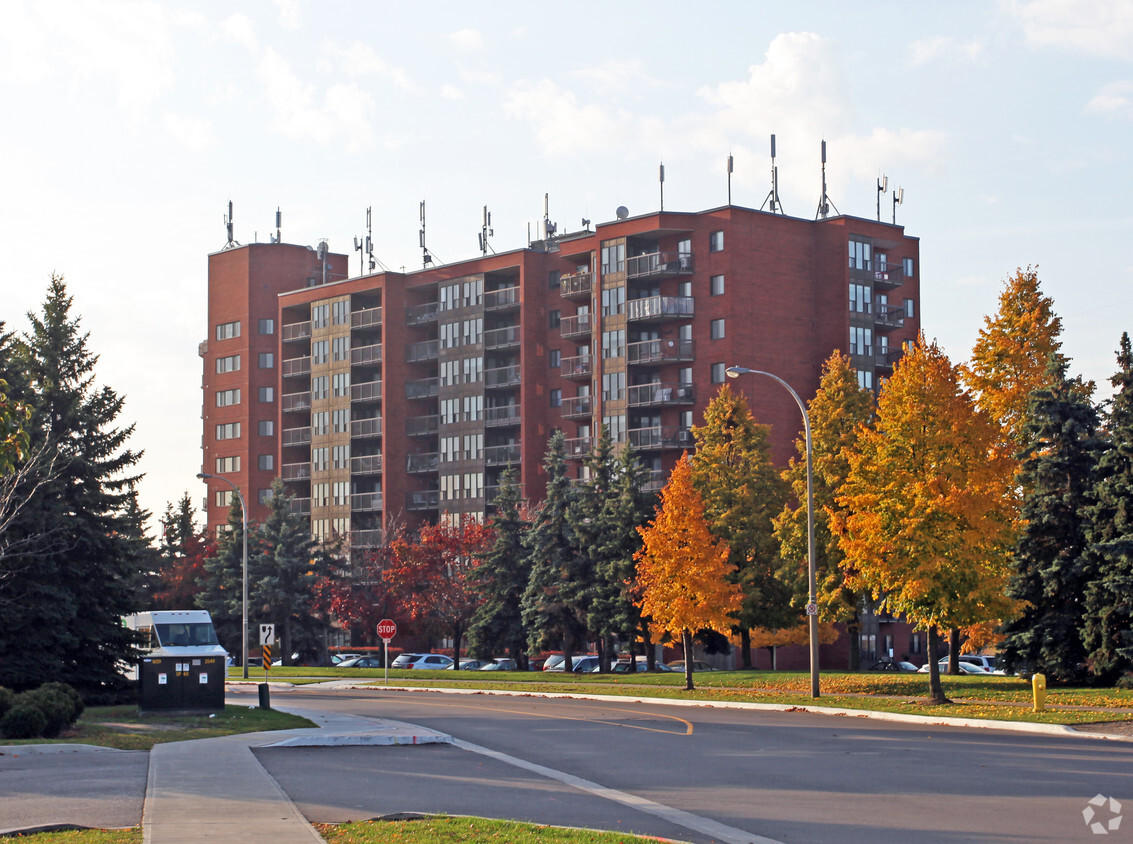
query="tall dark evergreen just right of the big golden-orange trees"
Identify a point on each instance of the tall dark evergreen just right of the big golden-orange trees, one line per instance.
(1052, 569)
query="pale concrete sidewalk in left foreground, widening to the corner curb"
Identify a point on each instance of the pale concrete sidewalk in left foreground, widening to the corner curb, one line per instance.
(216, 790)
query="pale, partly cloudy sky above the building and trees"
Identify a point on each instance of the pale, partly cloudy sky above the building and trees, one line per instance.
(131, 126)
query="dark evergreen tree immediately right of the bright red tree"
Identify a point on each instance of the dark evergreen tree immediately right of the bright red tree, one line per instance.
(501, 578)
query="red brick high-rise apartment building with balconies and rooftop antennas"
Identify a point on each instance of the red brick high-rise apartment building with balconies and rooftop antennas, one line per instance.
(401, 398)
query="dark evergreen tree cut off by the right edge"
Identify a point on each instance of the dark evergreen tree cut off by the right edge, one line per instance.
(1109, 626)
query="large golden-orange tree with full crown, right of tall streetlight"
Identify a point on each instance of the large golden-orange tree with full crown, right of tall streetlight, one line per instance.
(924, 523)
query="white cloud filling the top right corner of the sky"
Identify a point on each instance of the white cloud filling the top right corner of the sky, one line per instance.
(1098, 28)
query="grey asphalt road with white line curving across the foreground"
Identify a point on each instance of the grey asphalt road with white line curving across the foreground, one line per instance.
(781, 777)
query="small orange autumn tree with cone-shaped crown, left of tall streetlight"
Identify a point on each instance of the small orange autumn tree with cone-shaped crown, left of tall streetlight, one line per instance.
(683, 582)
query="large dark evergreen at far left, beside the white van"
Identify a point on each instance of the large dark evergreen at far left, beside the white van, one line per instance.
(81, 582)
